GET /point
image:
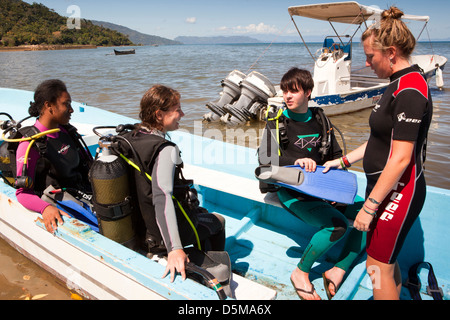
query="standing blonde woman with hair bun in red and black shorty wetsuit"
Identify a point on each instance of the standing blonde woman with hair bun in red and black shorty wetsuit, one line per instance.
(393, 155)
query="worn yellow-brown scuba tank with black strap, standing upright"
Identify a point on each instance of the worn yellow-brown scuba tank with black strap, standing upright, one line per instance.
(111, 197)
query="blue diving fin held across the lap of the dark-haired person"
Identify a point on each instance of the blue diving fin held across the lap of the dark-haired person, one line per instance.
(335, 185)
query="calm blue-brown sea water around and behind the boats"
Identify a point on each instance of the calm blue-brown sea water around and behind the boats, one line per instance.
(117, 83)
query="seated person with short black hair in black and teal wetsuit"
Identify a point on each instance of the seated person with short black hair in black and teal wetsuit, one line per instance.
(305, 133)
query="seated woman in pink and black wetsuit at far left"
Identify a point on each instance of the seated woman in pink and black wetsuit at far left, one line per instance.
(62, 164)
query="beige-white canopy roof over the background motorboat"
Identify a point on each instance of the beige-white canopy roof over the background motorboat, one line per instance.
(349, 12)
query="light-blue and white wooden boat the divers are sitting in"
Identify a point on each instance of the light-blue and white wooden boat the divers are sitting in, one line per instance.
(264, 241)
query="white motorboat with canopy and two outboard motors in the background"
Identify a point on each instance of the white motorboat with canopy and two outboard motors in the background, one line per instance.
(336, 89)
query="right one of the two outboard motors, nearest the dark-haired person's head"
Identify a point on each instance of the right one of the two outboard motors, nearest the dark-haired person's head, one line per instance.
(255, 90)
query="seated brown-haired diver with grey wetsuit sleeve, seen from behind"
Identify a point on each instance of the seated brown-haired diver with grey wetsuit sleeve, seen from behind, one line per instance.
(161, 113)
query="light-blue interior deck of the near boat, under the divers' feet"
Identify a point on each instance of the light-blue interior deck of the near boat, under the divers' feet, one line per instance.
(265, 242)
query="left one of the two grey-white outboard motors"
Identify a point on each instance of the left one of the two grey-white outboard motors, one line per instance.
(230, 93)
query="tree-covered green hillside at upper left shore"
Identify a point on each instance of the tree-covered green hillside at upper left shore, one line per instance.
(35, 24)
